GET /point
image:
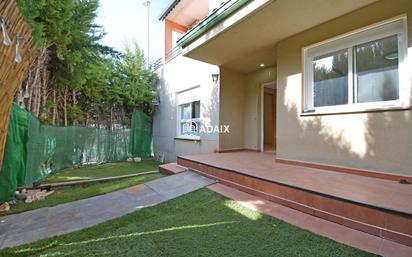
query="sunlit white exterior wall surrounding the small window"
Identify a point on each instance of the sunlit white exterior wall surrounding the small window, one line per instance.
(178, 75)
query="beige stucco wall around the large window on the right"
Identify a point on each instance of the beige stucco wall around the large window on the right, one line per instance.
(380, 141)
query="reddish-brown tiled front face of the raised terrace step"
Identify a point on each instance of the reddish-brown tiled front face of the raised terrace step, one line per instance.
(383, 222)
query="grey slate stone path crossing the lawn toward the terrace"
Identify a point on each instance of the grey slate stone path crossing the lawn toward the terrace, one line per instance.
(42, 223)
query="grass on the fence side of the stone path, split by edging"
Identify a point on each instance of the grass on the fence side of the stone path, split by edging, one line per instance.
(66, 195)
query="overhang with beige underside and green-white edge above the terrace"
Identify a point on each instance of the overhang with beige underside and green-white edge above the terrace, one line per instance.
(246, 37)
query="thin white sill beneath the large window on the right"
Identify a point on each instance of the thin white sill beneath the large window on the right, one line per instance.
(348, 110)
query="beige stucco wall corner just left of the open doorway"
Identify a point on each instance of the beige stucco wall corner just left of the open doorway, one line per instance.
(240, 107)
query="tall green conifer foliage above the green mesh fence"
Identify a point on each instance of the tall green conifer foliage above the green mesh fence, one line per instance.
(98, 84)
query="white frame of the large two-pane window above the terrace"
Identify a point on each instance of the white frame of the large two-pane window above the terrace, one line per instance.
(396, 26)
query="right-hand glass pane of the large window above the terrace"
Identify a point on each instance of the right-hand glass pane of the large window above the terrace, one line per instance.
(377, 70)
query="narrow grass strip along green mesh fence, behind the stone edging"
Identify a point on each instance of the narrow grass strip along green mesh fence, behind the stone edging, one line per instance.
(101, 171)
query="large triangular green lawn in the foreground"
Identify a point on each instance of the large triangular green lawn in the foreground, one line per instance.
(202, 223)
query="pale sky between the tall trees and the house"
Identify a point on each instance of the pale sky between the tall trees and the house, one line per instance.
(126, 20)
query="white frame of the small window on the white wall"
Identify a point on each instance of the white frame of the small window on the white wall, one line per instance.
(191, 97)
